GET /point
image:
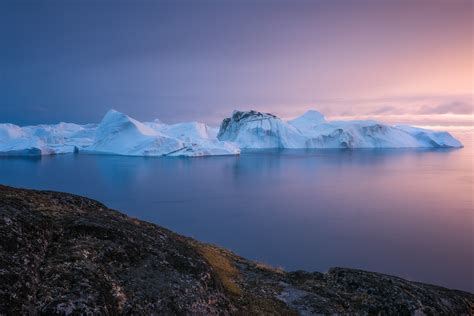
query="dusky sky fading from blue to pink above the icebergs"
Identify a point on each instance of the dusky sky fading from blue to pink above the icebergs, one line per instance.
(396, 61)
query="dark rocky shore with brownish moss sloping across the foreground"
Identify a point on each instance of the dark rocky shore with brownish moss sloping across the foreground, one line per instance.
(65, 254)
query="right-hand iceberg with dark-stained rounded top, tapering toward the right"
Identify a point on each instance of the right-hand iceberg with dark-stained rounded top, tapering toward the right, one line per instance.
(311, 130)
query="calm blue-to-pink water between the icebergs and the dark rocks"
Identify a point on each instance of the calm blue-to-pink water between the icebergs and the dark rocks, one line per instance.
(402, 212)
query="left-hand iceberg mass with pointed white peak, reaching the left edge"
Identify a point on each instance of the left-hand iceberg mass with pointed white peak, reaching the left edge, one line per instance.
(116, 134)
